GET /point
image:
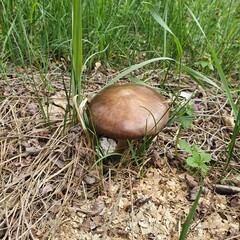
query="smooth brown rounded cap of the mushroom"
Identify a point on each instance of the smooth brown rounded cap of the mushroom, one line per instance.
(128, 111)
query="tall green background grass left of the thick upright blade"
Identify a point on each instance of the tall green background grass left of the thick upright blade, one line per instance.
(42, 26)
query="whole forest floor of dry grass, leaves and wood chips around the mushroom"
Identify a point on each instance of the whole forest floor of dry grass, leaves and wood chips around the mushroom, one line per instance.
(51, 188)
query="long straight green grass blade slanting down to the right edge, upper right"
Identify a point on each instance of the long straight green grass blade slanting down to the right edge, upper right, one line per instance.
(218, 66)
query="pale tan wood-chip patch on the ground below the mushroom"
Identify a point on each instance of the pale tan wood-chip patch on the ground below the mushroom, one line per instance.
(151, 208)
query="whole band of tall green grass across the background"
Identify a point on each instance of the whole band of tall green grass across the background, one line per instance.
(125, 27)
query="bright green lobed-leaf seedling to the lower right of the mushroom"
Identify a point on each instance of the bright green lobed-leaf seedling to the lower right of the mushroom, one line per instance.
(198, 159)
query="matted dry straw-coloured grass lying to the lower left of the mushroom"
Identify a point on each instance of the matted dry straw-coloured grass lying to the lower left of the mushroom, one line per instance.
(41, 170)
